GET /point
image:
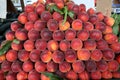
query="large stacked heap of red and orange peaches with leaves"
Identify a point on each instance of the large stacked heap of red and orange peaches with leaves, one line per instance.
(62, 38)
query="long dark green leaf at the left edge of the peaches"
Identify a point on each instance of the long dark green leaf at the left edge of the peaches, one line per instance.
(5, 47)
